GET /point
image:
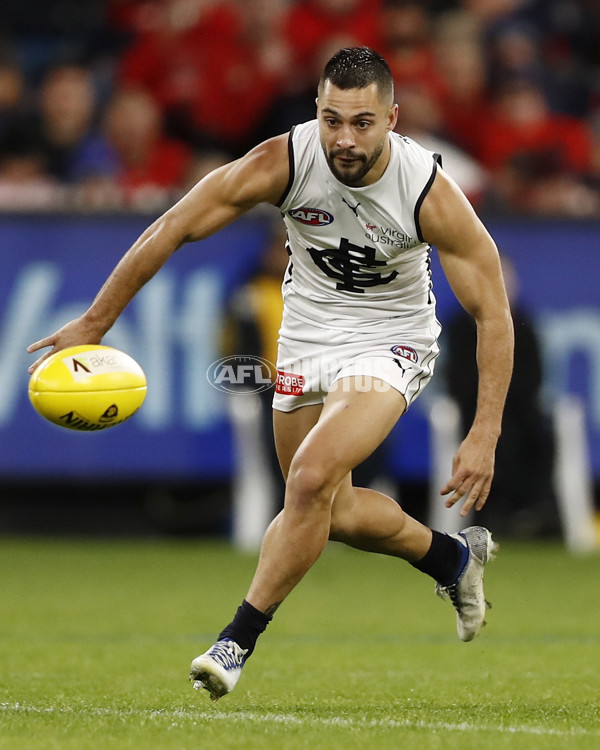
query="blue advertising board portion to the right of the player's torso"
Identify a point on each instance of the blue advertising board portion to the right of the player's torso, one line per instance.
(557, 264)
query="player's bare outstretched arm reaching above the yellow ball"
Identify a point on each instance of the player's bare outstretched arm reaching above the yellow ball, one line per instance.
(217, 200)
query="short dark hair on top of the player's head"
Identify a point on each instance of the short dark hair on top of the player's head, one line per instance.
(357, 68)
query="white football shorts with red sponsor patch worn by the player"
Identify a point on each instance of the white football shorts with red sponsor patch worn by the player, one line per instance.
(312, 358)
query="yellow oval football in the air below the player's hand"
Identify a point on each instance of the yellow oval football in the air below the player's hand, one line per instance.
(88, 388)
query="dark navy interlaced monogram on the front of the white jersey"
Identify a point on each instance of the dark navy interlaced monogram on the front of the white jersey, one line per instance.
(352, 266)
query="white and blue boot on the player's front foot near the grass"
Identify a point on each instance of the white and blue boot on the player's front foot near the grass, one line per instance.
(219, 668)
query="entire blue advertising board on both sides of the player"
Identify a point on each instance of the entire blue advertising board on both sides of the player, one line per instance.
(53, 266)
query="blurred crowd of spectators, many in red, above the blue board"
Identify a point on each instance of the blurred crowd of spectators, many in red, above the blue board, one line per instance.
(124, 104)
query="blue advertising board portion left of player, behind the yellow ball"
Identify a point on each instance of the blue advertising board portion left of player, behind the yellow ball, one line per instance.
(52, 269)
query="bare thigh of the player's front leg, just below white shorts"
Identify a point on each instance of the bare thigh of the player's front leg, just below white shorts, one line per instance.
(354, 421)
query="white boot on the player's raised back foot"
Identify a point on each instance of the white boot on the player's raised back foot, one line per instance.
(466, 594)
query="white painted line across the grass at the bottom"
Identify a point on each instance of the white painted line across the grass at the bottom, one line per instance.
(292, 719)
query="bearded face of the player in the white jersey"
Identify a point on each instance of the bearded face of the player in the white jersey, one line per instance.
(353, 126)
